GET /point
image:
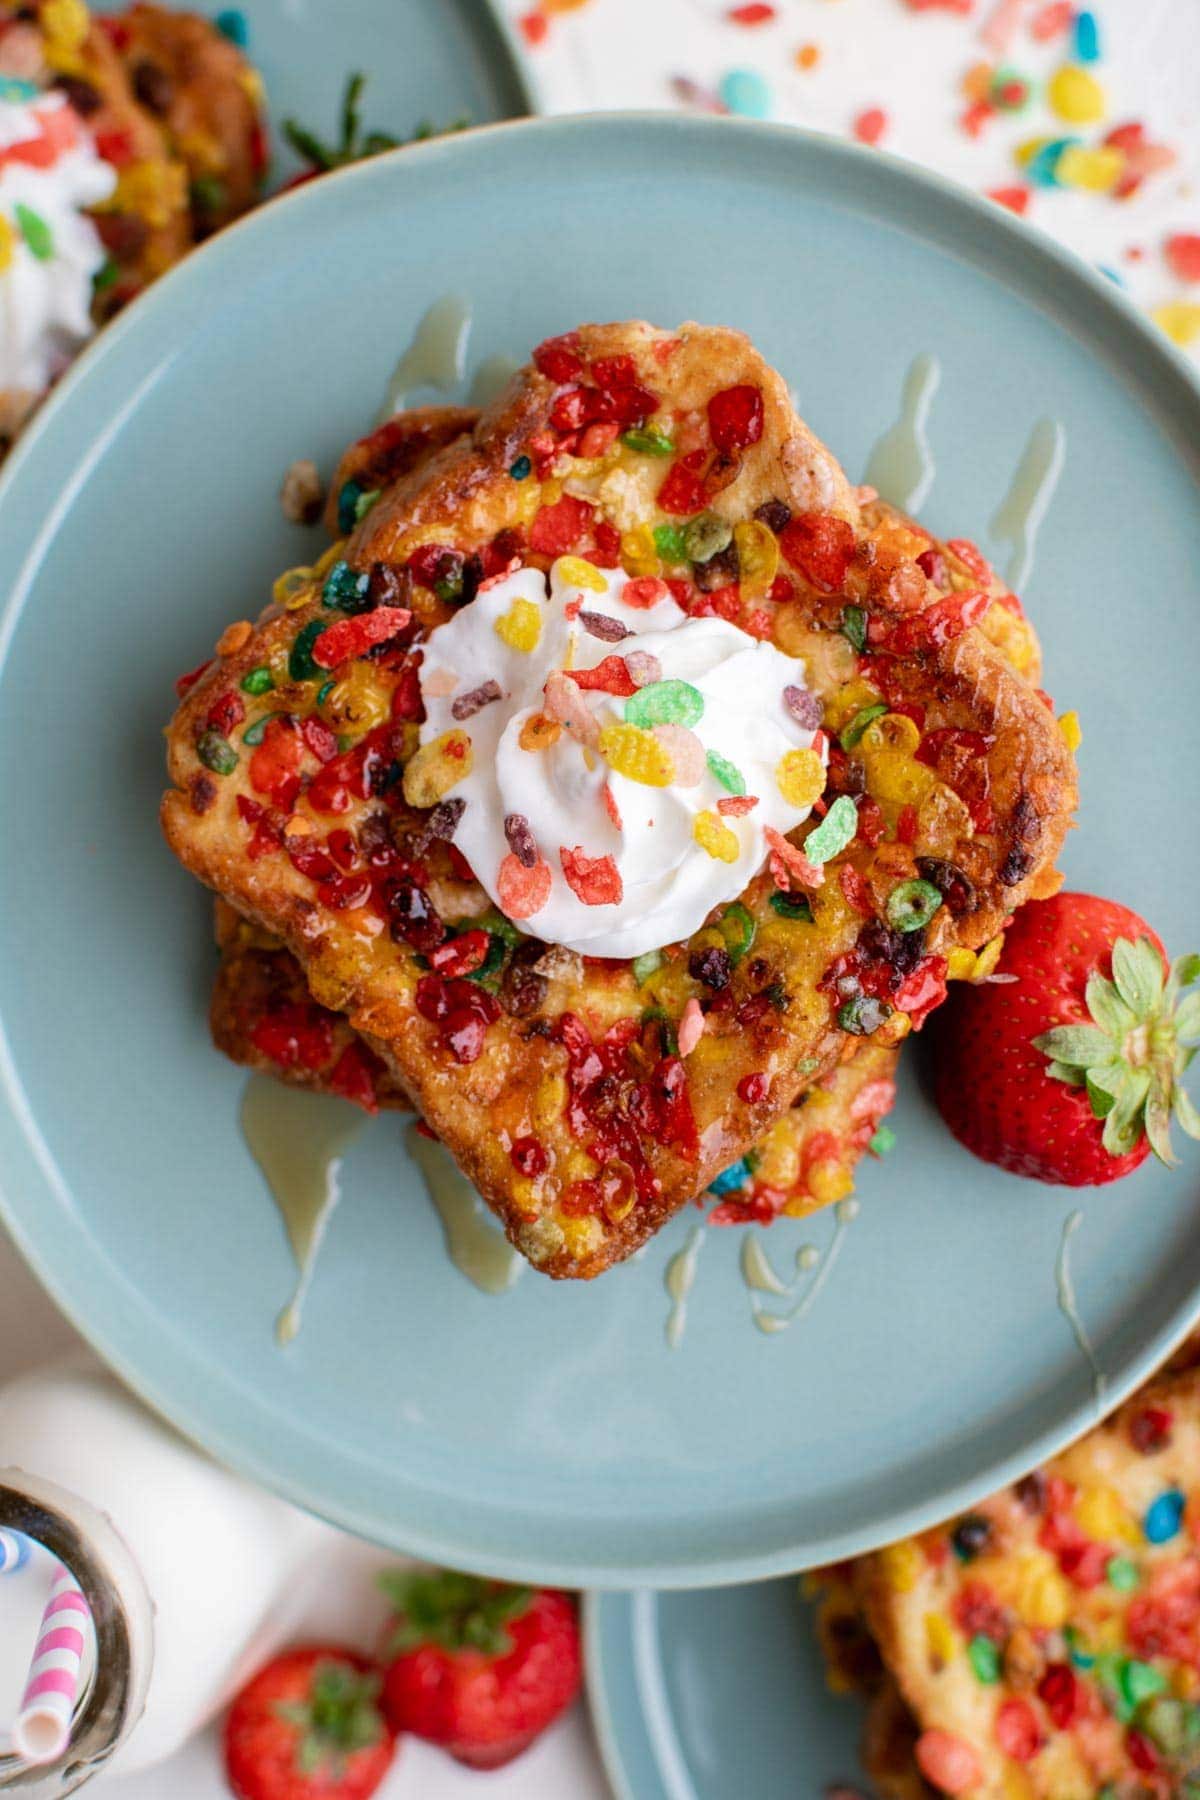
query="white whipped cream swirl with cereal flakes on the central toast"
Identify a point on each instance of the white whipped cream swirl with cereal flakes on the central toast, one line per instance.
(614, 818)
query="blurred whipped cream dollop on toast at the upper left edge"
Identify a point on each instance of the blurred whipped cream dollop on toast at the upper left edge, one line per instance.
(49, 249)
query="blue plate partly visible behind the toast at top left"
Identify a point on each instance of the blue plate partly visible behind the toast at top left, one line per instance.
(425, 62)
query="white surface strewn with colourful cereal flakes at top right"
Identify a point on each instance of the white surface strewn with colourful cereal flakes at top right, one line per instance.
(1082, 118)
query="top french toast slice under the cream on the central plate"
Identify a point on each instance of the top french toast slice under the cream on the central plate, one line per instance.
(575, 1113)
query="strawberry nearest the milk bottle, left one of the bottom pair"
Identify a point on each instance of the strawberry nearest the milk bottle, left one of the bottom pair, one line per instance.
(309, 1727)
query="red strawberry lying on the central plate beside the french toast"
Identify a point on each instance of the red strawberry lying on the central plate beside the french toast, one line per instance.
(1070, 1070)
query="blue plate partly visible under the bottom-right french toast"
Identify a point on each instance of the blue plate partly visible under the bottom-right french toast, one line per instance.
(706, 1695)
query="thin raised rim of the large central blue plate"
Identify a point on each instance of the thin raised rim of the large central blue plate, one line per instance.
(71, 1288)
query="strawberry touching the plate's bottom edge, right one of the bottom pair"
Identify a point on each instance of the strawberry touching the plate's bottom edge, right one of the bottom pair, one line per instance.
(476, 1666)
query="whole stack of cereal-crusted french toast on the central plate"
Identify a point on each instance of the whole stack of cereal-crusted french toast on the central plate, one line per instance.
(591, 1097)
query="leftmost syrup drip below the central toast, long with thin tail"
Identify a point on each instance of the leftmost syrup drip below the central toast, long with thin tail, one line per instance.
(298, 1140)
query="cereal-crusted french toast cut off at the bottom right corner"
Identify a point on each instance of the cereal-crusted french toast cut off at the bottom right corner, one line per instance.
(1052, 1635)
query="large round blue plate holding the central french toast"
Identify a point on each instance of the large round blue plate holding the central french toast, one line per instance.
(551, 1432)
